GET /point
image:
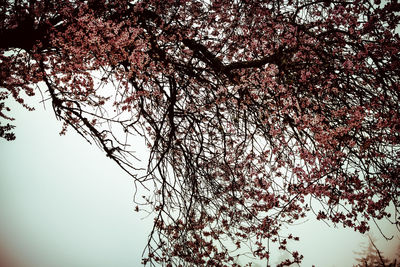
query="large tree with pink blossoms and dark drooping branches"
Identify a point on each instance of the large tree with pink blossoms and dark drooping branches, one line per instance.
(256, 113)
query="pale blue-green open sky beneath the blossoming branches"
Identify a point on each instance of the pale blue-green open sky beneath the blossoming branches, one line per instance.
(64, 203)
